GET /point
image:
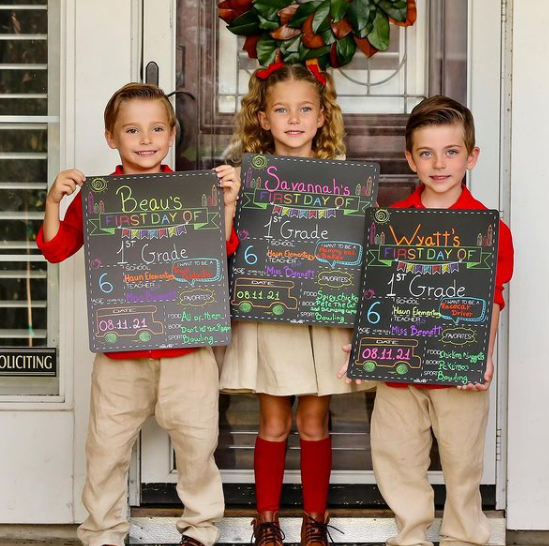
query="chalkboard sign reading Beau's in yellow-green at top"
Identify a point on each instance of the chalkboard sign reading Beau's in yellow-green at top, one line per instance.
(156, 261)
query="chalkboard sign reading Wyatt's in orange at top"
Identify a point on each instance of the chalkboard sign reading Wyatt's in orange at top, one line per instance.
(427, 296)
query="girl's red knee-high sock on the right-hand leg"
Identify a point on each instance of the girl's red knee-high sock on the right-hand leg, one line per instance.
(316, 466)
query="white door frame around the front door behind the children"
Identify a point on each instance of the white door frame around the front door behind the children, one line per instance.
(485, 47)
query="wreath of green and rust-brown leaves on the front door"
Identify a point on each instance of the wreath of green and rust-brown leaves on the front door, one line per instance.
(329, 31)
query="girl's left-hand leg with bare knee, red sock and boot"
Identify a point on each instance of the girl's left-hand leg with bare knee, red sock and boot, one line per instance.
(269, 459)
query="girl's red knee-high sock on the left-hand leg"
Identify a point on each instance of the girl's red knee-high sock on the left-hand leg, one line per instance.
(269, 461)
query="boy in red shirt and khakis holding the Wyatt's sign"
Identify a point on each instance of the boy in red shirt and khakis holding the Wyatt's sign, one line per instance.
(440, 148)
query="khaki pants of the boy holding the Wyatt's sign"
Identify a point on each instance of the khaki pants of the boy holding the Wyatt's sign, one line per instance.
(401, 440)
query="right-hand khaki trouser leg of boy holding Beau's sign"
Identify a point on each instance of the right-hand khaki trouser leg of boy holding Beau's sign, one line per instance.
(187, 408)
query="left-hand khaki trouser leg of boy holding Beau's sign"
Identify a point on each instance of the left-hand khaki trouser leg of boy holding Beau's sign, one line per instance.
(122, 398)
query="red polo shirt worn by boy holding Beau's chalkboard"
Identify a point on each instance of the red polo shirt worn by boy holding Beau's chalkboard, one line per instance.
(69, 240)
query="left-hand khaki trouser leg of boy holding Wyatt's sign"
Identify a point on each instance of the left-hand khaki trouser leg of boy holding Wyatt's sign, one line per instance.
(401, 441)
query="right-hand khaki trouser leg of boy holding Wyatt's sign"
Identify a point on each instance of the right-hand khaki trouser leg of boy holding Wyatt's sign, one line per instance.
(460, 426)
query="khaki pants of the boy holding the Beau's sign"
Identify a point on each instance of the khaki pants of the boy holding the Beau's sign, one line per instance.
(183, 394)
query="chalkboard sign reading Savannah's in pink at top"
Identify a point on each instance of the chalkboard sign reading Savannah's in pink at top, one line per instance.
(301, 224)
